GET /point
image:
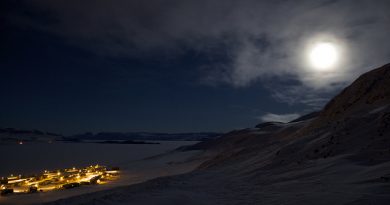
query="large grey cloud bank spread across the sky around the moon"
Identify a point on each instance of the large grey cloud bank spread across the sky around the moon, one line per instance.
(260, 40)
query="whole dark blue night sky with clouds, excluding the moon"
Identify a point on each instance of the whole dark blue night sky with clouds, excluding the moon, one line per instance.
(178, 65)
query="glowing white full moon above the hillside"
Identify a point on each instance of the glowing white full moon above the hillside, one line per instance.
(323, 56)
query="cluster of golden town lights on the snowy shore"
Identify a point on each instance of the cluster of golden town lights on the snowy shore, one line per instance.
(58, 179)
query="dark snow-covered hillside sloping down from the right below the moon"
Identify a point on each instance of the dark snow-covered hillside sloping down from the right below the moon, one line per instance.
(342, 156)
